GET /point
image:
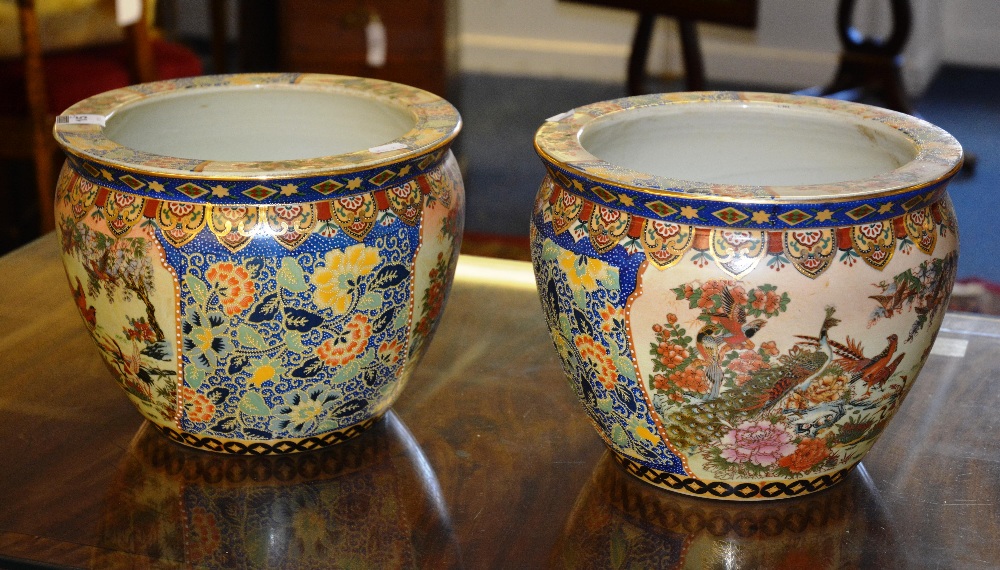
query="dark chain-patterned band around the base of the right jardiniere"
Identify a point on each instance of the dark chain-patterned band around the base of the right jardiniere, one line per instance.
(730, 490)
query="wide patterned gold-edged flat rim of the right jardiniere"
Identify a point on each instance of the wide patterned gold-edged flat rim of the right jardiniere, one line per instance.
(938, 157)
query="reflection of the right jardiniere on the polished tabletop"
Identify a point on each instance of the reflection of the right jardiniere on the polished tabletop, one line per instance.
(619, 522)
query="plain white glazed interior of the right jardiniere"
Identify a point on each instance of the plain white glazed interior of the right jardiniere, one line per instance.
(747, 145)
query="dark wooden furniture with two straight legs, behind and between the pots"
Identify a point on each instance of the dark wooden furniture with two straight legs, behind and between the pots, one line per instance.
(738, 13)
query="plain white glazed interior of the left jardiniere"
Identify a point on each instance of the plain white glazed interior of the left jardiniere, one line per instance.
(257, 124)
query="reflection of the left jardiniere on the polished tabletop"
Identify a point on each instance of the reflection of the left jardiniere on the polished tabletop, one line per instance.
(297, 511)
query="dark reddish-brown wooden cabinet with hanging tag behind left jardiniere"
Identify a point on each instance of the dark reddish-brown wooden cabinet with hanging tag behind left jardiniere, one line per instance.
(329, 37)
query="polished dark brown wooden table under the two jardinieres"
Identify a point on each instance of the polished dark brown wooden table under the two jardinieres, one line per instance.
(486, 462)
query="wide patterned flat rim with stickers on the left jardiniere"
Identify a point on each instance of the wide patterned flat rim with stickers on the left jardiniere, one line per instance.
(80, 129)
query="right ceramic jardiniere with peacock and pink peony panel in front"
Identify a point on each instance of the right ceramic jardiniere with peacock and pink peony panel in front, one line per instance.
(743, 287)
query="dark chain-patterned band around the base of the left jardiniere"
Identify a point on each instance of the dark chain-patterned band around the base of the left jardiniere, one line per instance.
(269, 447)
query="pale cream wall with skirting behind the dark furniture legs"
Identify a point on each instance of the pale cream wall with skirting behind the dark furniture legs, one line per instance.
(794, 46)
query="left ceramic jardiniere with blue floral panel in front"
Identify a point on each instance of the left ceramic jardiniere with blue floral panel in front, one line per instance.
(261, 259)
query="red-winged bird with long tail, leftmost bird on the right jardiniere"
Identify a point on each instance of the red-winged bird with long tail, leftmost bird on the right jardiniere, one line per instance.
(726, 330)
